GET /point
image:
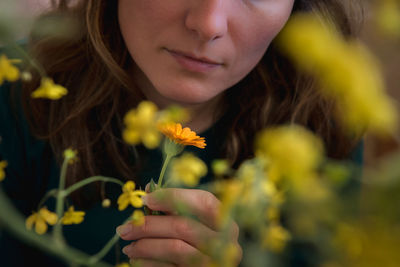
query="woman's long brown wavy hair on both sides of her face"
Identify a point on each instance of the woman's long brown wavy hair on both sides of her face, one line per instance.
(93, 64)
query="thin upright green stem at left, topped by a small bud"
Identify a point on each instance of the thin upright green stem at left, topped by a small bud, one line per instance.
(57, 230)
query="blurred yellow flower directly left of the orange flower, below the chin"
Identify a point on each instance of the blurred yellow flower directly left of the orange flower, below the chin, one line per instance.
(141, 125)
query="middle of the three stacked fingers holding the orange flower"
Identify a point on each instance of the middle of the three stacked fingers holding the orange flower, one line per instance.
(173, 227)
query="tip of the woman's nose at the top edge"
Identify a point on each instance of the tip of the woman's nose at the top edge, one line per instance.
(208, 19)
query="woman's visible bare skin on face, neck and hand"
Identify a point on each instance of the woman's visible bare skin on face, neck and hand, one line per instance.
(234, 34)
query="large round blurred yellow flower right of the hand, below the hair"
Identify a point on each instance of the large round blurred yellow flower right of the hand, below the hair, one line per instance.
(290, 151)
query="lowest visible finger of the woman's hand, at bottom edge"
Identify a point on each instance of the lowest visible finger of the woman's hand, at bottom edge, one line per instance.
(173, 251)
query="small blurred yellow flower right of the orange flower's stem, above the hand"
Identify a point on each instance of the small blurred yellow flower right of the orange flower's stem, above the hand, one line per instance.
(187, 170)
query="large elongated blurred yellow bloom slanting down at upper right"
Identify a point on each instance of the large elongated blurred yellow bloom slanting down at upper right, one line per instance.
(347, 73)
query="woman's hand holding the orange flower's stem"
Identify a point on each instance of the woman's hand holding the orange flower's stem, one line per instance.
(173, 239)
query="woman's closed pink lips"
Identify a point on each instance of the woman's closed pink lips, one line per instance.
(193, 63)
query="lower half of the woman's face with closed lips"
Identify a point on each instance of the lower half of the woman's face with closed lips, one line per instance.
(190, 51)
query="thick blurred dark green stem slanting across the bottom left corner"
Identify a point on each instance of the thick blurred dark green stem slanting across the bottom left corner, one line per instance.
(12, 221)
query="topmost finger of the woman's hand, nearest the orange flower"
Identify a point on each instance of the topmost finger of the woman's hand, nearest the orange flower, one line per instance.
(203, 204)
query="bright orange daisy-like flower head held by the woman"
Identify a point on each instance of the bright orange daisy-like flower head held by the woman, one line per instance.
(181, 136)
